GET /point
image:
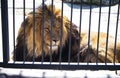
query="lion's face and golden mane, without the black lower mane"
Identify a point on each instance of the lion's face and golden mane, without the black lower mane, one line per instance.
(48, 37)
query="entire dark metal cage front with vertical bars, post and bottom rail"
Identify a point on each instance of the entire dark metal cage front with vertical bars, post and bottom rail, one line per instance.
(53, 65)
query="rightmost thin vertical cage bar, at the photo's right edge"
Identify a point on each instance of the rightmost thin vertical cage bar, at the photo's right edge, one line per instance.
(116, 32)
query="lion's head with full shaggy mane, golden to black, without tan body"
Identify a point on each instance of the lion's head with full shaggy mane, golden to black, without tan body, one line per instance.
(38, 41)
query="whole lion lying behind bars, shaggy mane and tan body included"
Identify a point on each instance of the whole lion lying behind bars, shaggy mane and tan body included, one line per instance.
(46, 35)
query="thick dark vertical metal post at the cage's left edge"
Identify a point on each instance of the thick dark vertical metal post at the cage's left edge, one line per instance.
(5, 35)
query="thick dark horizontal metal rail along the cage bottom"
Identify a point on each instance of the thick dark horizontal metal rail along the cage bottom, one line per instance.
(62, 66)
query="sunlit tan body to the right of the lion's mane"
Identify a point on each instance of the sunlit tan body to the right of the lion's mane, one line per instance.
(101, 48)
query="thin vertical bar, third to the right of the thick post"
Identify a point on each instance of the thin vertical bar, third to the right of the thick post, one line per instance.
(33, 30)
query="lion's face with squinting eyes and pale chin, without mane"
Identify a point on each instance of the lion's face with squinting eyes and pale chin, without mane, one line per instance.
(54, 34)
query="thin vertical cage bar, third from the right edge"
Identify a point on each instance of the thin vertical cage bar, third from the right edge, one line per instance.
(98, 32)
